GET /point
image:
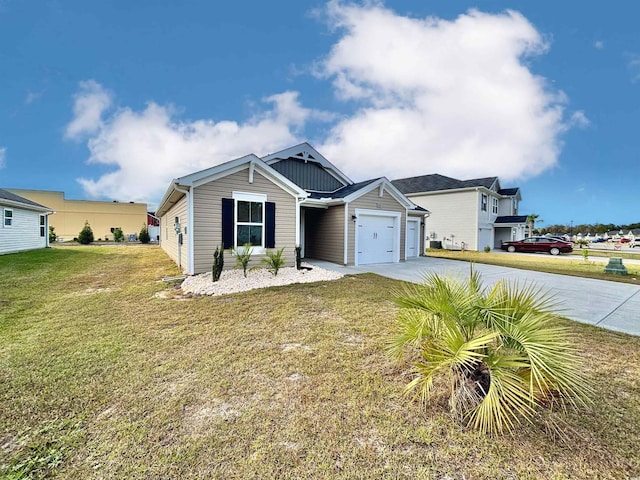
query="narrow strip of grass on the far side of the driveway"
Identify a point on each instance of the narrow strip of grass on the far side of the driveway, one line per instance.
(574, 265)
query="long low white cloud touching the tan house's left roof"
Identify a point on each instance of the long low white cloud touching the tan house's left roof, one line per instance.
(150, 147)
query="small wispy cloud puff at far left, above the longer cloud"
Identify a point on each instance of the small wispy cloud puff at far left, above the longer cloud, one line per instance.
(89, 105)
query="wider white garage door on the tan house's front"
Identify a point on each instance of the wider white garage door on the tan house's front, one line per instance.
(376, 239)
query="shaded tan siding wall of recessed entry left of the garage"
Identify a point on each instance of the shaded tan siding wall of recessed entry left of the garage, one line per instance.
(324, 234)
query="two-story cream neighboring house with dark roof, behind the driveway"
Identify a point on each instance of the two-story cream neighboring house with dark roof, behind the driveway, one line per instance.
(467, 214)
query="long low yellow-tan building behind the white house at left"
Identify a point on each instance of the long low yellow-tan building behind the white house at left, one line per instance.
(103, 217)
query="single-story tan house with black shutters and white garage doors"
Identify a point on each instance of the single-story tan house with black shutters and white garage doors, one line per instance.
(294, 197)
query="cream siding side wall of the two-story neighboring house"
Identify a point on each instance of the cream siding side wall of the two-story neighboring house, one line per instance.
(452, 213)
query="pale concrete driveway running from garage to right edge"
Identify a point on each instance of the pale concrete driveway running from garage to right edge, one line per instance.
(611, 305)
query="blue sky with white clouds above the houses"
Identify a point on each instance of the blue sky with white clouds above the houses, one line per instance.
(111, 100)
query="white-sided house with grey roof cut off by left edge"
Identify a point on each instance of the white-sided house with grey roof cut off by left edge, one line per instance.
(25, 224)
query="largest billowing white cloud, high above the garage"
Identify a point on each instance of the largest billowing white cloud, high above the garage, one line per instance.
(437, 96)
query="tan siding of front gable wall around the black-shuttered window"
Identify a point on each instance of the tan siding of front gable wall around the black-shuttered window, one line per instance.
(207, 213)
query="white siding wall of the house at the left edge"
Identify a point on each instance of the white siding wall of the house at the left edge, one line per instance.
(24, 233)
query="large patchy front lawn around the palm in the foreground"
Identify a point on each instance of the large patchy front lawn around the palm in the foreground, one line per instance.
(101, 378)
